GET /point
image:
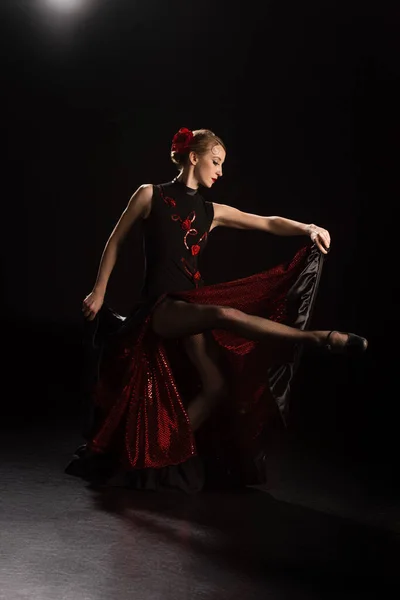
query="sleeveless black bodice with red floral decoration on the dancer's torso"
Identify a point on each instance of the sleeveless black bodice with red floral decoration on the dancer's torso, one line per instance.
(175, 234)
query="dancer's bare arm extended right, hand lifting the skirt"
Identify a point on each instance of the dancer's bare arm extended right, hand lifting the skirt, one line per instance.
(227, 216)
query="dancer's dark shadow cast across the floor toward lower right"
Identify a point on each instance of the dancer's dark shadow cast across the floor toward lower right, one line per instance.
(255, 534)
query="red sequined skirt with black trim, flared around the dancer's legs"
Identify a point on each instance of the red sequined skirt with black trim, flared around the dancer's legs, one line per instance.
(138, 433)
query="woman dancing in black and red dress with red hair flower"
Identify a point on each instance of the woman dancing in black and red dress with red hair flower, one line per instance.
(197, 370)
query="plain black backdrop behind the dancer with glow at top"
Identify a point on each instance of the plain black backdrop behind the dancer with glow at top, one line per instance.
(305, 96)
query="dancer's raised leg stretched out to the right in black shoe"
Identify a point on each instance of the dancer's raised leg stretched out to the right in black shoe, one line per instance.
(177, 318)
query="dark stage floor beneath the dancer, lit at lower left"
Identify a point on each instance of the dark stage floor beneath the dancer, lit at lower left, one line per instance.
(318, 529)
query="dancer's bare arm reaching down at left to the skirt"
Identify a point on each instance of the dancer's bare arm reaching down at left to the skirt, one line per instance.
(138, 207)
